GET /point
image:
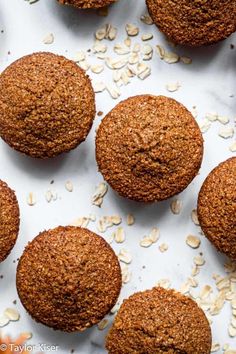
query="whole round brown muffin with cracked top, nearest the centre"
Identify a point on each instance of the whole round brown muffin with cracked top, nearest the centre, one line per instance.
(149, 148)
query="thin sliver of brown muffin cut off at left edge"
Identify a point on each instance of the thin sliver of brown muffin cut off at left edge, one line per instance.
(9, 220)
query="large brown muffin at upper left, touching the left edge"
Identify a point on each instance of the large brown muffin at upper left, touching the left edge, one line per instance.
(46, 105)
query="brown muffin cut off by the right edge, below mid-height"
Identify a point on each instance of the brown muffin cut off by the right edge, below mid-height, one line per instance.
(217, 207)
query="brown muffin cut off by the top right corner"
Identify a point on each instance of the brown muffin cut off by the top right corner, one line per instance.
(194, 22)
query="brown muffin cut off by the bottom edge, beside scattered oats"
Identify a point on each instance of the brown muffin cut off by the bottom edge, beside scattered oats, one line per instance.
(159, 321)
